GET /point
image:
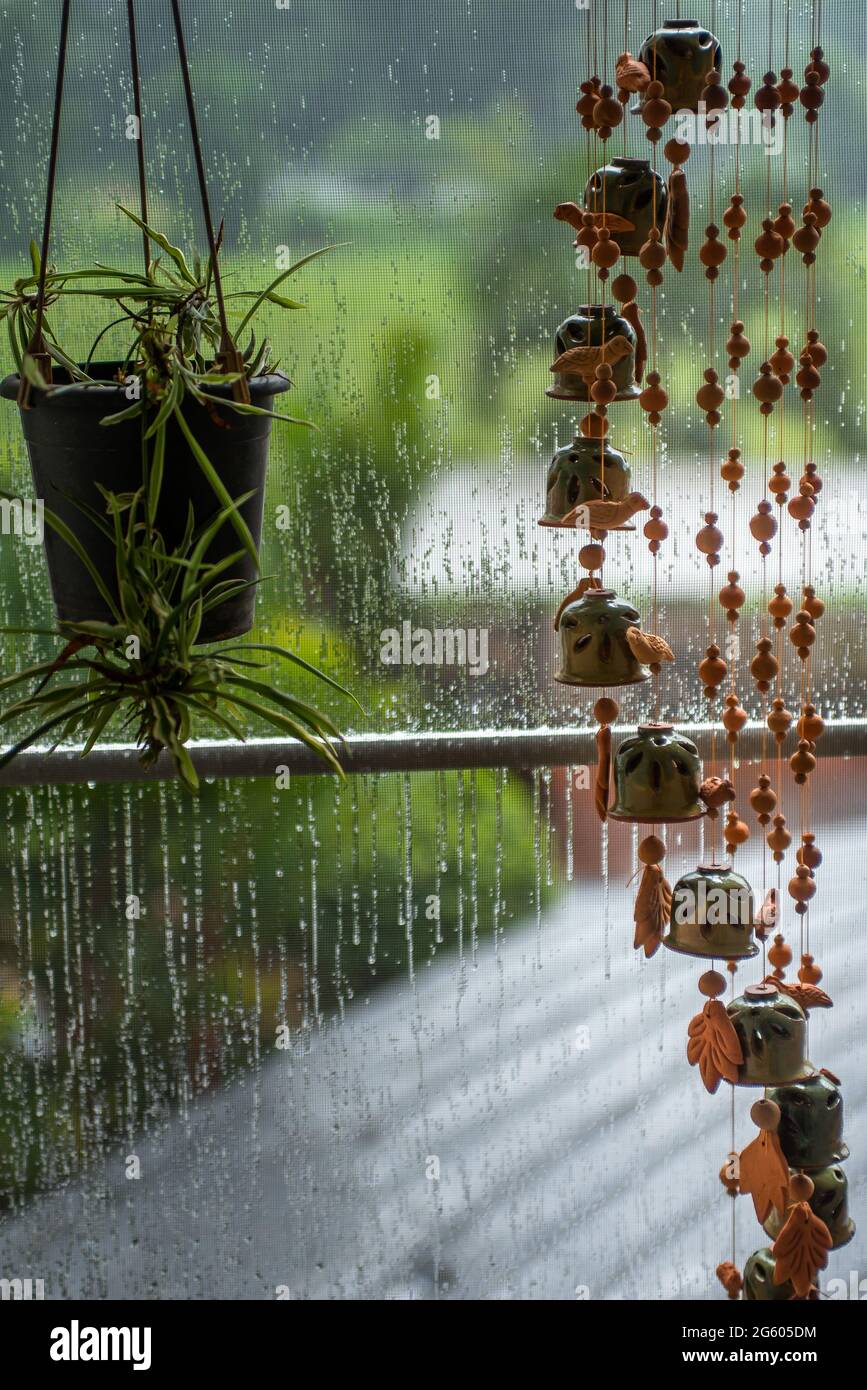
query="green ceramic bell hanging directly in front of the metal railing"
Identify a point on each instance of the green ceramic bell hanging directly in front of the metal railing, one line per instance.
(658, 775)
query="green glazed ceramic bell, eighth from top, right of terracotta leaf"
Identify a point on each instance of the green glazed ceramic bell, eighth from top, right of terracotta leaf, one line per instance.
(773, 1033)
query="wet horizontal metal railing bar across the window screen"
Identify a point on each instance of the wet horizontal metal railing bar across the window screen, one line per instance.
(438, 751)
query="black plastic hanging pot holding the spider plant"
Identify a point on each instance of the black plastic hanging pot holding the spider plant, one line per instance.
(72, 452)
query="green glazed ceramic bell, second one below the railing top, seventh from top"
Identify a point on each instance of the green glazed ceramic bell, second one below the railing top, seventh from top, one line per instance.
(712, 915)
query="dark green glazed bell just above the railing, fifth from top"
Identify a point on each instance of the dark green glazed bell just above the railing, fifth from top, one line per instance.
(594, 641)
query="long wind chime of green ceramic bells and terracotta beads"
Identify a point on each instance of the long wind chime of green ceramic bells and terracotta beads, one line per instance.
(629, 211)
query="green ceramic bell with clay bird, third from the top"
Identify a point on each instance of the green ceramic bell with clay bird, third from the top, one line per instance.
(595, 334)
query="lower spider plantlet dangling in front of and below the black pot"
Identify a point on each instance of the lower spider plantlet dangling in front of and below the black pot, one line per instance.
(142, 665)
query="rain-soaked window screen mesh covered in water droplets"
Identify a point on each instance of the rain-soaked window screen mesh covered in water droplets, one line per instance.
(336, 993)
